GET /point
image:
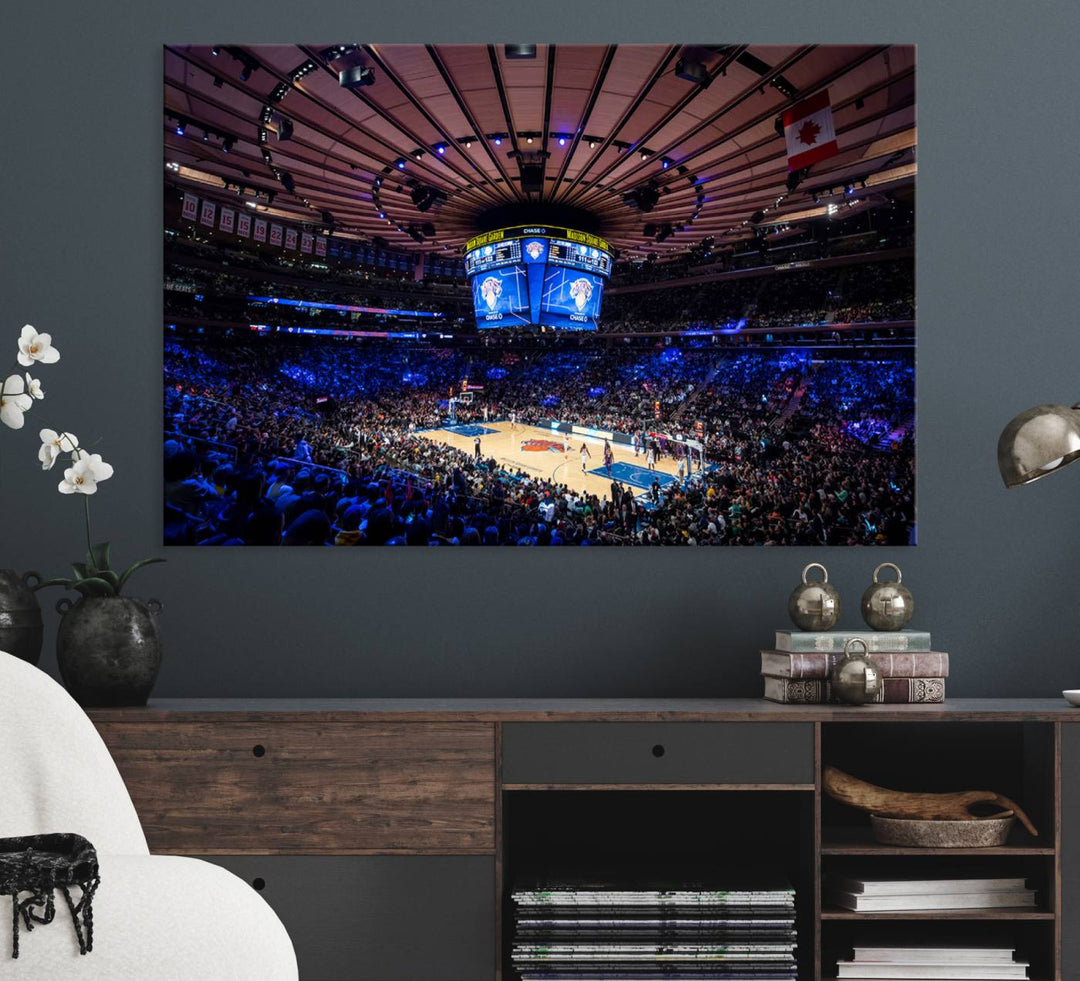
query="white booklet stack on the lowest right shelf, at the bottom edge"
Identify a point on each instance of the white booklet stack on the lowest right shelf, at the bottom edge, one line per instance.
(939, 963)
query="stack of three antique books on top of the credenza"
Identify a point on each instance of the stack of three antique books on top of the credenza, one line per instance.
(796, 670)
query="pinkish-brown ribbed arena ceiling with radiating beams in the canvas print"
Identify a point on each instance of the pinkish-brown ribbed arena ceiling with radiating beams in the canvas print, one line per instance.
(478, 136)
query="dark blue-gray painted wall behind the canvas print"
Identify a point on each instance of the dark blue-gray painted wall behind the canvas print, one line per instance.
(995, 576)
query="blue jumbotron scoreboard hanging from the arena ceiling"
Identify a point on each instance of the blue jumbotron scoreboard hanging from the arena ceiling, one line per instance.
(538, 276)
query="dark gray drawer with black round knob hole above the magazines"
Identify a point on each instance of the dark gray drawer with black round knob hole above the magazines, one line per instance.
(665, 754)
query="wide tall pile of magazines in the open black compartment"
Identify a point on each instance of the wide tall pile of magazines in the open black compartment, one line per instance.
(582, 932)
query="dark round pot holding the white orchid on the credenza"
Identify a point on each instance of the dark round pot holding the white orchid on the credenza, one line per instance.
(109, 650)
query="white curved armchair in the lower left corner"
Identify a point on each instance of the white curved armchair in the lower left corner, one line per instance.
(156, 918)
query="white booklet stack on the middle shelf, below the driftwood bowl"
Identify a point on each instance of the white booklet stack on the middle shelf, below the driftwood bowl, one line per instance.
(900, 895)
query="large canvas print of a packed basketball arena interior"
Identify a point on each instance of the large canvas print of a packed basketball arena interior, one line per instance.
(539, 295)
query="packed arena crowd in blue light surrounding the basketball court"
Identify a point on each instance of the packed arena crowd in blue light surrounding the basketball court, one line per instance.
(291, 441)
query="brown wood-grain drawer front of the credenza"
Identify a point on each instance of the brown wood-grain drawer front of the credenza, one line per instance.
(206, 788)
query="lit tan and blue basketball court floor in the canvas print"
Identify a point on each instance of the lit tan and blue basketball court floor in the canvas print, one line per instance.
(549, 461)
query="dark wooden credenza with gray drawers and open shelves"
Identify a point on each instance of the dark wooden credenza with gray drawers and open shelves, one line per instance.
(387, 834)
